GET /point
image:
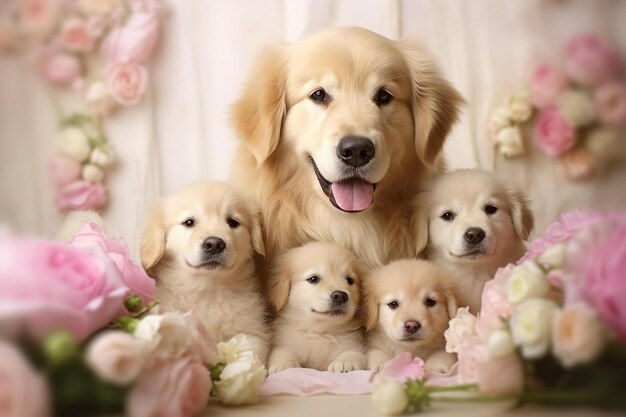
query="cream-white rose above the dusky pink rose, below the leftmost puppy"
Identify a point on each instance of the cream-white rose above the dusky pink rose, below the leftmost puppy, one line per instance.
(167, 335)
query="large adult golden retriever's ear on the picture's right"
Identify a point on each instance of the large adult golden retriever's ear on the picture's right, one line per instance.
(435, 103)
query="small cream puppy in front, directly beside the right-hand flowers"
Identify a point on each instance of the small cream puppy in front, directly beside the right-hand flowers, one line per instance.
(408, 304)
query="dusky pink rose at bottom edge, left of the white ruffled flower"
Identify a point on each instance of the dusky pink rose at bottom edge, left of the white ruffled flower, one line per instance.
(173, 388)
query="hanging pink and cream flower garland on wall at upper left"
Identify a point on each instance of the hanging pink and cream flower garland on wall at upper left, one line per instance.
(95, 49)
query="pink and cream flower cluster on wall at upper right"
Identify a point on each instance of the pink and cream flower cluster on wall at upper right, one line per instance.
(578, 110)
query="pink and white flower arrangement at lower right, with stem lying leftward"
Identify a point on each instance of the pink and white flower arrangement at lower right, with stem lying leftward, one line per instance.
(552, 328)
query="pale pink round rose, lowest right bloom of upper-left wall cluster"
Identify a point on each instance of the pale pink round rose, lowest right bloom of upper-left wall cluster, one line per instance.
(126, 83)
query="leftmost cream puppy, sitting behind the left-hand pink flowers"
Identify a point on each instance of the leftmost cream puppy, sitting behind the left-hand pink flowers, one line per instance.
(199, 245)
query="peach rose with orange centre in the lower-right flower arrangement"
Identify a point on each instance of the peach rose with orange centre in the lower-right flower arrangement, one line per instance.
(578, 335)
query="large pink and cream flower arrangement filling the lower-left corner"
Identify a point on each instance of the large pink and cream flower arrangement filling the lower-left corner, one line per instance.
(81, 334)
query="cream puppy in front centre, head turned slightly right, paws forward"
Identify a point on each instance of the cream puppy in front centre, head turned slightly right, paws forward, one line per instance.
(315, 290)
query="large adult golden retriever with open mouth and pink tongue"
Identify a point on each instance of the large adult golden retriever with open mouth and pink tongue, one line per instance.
(338, 130)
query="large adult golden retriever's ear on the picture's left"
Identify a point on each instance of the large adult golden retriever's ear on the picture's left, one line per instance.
(259, 113)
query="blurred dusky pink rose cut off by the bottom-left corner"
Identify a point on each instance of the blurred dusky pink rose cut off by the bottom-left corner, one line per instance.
(23, 392)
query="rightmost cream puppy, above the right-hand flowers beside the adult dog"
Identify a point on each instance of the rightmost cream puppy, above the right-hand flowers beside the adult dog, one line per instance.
(476, 224)
